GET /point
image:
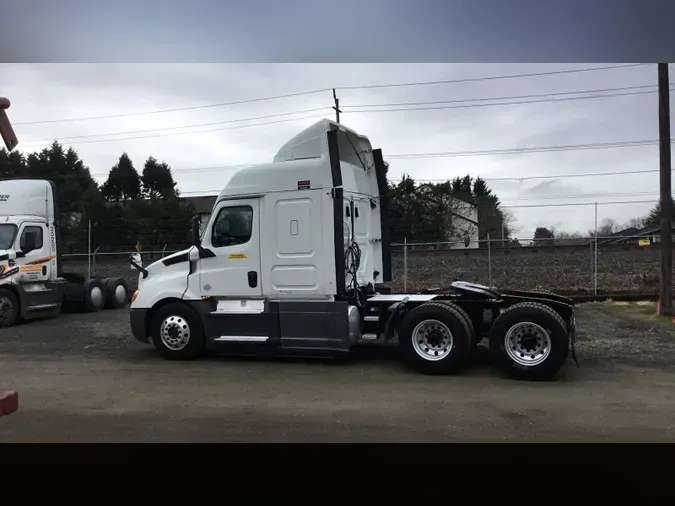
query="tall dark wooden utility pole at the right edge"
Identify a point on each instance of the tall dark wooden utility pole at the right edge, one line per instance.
(666, 285)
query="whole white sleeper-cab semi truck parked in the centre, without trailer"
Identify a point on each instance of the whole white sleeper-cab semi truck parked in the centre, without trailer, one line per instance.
(295, 259)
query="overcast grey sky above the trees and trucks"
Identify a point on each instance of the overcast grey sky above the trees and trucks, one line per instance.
(42, 92)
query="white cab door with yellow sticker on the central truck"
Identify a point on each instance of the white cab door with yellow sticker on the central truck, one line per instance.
(234, 238)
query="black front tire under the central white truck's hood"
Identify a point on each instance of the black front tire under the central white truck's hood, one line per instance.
(184, 318)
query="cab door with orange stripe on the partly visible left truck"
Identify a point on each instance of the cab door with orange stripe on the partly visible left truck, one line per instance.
(33, 252)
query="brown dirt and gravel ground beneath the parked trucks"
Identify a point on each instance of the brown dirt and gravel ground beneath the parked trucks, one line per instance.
(82, 378)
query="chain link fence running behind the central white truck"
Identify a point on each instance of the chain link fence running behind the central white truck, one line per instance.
(588, 266)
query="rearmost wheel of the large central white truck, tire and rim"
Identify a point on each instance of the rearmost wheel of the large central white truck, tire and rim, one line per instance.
(530, 341)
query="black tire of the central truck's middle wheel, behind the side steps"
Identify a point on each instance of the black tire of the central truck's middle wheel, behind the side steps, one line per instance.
(435, 313)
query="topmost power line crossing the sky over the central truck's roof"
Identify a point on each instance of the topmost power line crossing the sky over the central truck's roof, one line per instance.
(322, 90)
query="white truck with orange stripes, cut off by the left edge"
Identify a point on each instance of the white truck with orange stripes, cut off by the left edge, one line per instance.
(32, 284)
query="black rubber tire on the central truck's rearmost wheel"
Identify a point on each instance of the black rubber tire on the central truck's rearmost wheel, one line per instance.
(546, 318)
